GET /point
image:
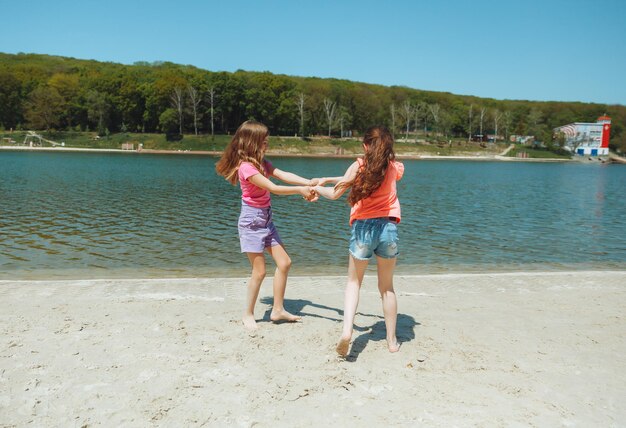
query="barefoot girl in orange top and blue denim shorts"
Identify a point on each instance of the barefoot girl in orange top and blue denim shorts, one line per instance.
(374, 217)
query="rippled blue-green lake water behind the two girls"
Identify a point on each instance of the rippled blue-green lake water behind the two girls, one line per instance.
(85, 215)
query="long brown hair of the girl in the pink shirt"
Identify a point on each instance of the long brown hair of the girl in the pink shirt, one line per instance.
(245, 146)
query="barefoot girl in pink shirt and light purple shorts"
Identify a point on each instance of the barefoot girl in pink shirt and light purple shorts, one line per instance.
(244, 162)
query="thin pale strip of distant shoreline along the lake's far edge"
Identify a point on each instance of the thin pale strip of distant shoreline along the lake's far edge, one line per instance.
(283, 154)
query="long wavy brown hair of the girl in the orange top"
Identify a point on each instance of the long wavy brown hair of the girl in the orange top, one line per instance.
(379, 143)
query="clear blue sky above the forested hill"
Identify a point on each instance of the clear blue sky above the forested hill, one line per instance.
(561, 50)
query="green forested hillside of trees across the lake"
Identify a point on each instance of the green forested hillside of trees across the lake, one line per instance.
(49, 92)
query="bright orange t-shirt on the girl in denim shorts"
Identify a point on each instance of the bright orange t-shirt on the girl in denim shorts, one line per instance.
(384, 201)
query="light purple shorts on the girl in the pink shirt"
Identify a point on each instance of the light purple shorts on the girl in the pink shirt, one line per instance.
(256, 229)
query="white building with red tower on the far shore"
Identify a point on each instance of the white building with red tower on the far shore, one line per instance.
(587, 139)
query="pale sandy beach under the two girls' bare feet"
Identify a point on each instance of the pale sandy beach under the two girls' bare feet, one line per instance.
(513, 349)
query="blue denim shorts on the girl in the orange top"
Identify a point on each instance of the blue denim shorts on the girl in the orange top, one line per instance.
(374, 236)
